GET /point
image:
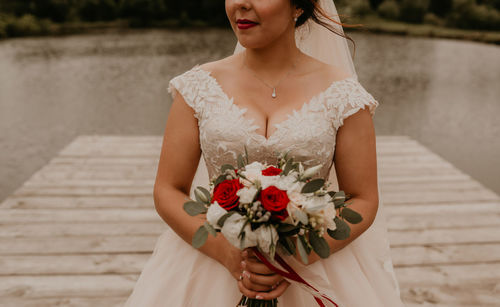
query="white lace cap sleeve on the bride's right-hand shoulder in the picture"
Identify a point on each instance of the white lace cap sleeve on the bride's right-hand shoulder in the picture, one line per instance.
(351, 98)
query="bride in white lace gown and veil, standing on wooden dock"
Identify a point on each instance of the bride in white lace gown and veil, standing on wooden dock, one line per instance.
(290, 85)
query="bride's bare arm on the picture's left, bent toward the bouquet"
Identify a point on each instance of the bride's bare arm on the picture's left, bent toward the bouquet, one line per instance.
(178, 161)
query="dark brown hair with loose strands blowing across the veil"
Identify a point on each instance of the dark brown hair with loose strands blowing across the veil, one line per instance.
(312, 10)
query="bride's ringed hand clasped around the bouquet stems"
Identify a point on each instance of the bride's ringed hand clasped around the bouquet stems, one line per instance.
(259, 281)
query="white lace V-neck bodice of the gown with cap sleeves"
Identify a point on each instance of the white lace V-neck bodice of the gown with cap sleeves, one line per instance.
(309, 133)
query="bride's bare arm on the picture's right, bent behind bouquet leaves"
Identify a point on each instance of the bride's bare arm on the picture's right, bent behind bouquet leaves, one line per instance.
(356, 166)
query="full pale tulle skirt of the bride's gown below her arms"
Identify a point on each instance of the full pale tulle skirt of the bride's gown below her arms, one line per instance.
(359, 275)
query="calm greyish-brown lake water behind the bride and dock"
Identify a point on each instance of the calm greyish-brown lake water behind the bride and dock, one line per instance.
(443, 93)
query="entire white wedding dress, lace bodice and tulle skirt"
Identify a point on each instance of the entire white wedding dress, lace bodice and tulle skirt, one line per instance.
(359, 275)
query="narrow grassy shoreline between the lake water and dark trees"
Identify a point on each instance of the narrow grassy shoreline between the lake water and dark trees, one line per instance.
(371, 24)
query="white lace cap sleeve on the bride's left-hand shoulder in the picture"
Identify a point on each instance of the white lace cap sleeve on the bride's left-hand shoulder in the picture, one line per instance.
(187, 85)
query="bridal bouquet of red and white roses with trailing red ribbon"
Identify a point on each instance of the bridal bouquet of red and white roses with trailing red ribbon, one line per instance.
(266, 207)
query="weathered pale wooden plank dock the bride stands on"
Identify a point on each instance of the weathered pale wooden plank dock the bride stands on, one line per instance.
(80, 230)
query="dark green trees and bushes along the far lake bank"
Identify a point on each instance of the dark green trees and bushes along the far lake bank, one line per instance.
(32, 16)
